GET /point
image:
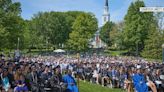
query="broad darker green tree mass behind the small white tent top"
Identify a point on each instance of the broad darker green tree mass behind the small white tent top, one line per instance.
(54, 27)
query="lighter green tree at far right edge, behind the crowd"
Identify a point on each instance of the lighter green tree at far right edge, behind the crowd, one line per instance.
(153, 45)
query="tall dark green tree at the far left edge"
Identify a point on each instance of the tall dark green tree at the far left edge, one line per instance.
(11, 21)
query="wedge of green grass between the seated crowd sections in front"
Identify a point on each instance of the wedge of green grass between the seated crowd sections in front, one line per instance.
(88, 87)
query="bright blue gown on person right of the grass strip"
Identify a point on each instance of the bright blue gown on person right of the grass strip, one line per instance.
(139, 83)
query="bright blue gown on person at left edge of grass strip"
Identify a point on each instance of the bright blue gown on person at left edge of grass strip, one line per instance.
(69, 79)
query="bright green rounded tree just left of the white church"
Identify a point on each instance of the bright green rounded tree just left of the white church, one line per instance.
(83, 29)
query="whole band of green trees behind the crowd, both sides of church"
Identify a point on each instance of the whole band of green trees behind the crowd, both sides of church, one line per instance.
(139, 32)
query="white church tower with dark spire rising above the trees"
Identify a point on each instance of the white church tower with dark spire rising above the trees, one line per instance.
(106, 15)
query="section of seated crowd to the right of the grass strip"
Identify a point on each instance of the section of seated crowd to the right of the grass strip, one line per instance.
(132, 74)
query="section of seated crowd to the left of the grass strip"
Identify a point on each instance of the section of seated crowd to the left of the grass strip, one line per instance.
(26, 75)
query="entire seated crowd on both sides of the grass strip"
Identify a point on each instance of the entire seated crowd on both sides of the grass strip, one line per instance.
(40, 73)
